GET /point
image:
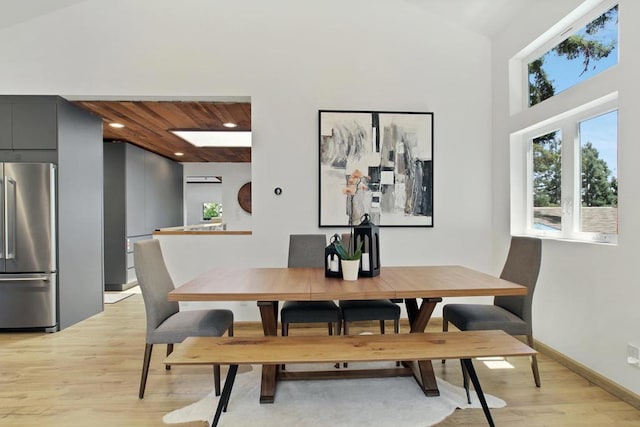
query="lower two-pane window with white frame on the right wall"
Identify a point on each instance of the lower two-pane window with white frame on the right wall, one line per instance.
(572, 189)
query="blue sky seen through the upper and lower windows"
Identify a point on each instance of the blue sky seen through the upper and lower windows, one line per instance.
(601, 131)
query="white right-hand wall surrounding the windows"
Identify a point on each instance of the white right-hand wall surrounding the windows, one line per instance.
(585, 300)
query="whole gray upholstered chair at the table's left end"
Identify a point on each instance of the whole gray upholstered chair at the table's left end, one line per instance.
(166, 324)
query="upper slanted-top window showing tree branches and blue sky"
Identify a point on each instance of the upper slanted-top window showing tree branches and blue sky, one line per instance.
(582, 55)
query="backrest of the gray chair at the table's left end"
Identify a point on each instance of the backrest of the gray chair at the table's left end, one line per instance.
(155, 282)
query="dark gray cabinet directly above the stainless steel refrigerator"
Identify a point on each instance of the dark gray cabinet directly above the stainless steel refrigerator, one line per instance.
(29, 123)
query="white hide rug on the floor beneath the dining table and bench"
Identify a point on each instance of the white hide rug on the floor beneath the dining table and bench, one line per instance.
(370, 402)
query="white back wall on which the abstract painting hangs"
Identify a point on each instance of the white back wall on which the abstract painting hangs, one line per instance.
(292, 58)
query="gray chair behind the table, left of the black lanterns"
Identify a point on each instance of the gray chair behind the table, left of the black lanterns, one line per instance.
(307, 250)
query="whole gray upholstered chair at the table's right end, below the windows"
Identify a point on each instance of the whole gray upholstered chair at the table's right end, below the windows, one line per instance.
(512, 314)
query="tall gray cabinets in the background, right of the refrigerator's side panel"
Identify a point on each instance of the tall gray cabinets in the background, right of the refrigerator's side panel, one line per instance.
(142, 192)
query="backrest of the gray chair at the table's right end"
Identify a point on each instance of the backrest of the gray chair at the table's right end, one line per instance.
(522, 267)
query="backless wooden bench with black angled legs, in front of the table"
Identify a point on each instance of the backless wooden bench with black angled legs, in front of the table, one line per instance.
(276, 350)
